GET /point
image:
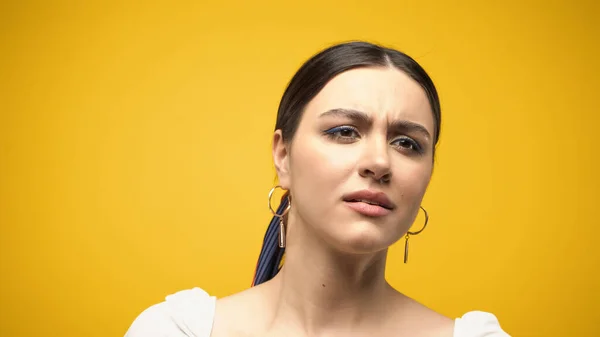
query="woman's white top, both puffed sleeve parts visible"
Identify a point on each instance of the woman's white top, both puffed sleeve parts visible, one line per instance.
(190, 313)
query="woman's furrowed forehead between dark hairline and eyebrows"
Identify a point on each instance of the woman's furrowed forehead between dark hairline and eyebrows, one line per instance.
(382, 92)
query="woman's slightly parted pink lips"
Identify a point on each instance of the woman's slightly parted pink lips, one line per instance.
(369, 203)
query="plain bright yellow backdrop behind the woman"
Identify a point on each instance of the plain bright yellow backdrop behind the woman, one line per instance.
(135, 154)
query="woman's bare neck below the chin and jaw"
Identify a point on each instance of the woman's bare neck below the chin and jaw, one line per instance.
(321, 290)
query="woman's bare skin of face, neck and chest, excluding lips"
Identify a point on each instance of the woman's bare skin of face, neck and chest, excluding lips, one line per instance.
(369, 128)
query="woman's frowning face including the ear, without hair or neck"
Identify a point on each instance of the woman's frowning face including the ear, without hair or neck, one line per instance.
(361, 159)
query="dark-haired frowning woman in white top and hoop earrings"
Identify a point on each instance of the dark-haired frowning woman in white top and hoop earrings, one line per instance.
(354, 147)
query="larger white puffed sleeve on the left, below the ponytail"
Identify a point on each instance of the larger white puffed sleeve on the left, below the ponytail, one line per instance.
(187, 313)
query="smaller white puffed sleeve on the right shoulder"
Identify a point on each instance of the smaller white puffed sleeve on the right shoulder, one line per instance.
(478, 324)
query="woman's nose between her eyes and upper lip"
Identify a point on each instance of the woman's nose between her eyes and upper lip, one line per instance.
(375, 161)
